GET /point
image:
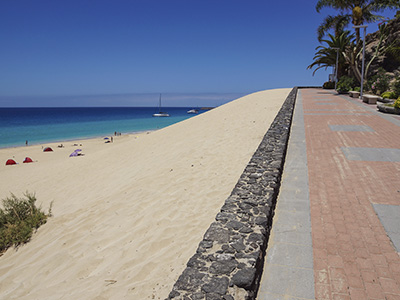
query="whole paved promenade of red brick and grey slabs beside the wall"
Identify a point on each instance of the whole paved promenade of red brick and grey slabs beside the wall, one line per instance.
(336, 232)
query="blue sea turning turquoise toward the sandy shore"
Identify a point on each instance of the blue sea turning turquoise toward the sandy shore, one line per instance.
(42, 125)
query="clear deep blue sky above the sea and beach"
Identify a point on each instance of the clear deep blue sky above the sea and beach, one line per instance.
(52, 51)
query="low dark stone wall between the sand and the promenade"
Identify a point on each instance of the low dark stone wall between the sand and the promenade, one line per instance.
(229, 260)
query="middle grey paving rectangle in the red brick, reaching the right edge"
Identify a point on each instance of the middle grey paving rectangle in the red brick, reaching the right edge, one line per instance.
(371, 154)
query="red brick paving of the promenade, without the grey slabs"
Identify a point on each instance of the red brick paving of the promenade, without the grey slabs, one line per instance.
(353, 256)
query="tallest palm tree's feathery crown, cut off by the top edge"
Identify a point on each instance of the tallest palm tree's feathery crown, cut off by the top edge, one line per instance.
(358, 11)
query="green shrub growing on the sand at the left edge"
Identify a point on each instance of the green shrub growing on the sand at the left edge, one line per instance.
(18, 218)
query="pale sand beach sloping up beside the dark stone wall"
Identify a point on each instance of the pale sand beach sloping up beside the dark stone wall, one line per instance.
(128, 215)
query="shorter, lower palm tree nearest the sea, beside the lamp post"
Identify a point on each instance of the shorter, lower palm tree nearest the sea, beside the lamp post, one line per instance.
(326, 55)
